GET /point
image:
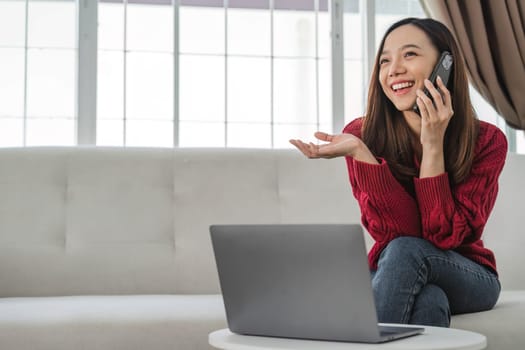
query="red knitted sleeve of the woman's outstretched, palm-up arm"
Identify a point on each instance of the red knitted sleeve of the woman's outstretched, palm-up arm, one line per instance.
(387, 210)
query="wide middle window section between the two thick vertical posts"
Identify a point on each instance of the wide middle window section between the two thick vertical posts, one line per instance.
(250, 73)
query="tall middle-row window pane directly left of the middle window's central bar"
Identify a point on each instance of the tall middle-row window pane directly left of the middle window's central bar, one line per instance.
(149, 86)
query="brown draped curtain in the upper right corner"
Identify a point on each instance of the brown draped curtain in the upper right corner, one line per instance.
(491, 36)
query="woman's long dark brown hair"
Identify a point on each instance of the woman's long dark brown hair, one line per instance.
(386, 132)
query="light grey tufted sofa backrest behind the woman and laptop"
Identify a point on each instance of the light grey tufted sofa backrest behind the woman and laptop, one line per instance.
(85, 220)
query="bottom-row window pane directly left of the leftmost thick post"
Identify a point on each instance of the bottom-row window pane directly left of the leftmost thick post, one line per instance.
(43, 131)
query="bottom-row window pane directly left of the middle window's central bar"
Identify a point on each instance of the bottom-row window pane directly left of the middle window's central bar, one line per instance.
(149, 133)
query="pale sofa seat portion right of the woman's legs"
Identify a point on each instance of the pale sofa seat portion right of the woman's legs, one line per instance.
(503, 325)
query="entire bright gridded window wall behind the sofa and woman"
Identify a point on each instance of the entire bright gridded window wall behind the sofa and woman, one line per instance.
(188, 73)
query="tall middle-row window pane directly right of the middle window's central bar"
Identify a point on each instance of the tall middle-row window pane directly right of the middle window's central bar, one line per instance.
(202, 88)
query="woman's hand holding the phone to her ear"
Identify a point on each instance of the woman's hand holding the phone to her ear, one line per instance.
(436, 115)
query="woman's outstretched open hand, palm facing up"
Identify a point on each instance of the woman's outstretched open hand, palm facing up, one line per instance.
(337, 146)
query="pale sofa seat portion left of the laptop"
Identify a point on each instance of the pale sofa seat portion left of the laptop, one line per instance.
(110, 322)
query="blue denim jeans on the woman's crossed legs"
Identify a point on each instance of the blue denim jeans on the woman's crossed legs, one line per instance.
(417, 283)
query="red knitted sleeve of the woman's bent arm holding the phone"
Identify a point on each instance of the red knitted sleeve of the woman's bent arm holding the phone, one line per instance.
(450, 217)
